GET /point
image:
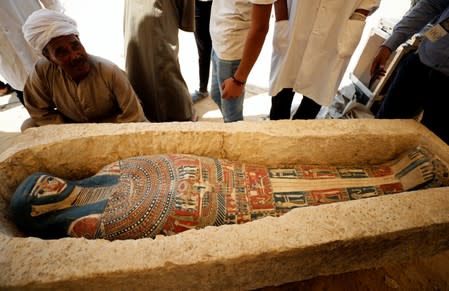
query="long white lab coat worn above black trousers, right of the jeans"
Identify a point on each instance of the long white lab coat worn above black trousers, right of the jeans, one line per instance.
(312, 49)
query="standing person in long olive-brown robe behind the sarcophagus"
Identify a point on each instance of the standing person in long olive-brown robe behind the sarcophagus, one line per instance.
(151, 61)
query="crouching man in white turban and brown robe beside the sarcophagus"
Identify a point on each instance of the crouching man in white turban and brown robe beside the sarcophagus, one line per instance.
(69, 85)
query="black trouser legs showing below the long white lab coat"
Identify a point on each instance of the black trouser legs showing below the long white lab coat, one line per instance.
(281, 106)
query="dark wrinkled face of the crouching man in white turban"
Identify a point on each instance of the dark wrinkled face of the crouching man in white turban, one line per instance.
(68, 53)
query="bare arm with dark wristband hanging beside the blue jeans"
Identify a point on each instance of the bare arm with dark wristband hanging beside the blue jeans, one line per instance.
(260, 21)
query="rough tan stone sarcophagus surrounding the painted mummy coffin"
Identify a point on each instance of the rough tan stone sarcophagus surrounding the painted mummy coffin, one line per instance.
(305, 242)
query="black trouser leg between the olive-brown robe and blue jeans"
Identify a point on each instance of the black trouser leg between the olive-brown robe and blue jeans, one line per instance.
(203, 41)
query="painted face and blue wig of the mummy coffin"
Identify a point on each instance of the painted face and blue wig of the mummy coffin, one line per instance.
(48, 205)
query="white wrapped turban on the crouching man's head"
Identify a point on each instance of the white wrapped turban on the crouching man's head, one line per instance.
(44, 24)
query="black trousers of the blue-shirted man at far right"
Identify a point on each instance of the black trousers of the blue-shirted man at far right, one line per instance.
(416, 87)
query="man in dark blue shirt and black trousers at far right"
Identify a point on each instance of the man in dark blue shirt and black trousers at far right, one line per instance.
(421, 81)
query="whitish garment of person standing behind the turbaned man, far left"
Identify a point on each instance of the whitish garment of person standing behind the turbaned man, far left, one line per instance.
(16, 56)
